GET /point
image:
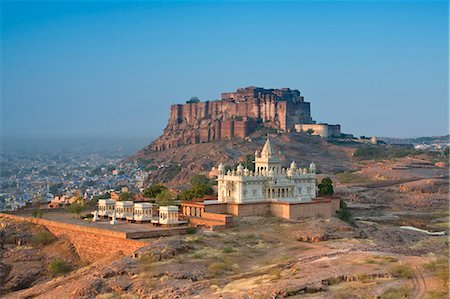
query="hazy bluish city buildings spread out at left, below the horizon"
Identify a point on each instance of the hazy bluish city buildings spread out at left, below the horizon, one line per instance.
(55, 177)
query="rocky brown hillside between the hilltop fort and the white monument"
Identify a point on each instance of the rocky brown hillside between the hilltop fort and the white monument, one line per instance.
(176, 165)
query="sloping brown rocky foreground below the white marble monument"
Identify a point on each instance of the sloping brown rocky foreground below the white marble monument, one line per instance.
(262, 257)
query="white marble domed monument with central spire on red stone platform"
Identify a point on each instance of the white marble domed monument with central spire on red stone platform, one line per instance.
(289, 193)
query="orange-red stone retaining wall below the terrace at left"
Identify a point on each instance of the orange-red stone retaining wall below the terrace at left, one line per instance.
(92, 244)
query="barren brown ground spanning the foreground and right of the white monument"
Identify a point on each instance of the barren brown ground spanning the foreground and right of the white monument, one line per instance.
(266, 257)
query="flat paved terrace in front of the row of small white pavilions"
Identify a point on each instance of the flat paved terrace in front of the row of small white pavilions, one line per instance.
(122, 229)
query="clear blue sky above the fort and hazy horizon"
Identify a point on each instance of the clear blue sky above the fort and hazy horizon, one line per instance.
(111, 68)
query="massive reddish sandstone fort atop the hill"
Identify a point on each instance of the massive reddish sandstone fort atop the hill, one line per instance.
(237, 115)
